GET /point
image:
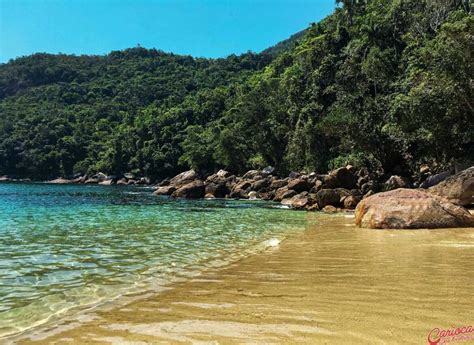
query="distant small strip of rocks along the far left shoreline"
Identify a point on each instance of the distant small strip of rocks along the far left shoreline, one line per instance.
(105, 180)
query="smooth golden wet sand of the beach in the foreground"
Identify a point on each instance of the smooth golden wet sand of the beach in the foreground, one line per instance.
(331, 284)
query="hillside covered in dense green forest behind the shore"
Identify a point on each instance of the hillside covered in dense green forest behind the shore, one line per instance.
(383, 84)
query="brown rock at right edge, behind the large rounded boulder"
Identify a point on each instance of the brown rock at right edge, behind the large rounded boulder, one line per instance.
(458, 188)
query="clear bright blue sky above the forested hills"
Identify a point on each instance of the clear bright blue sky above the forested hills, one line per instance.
(201, 28)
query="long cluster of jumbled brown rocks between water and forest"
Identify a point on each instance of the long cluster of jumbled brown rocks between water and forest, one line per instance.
(342, 188)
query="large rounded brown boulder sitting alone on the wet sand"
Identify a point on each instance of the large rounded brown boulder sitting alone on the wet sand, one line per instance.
(410, 209)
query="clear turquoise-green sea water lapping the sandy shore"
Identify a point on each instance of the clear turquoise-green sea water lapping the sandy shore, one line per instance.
(65, 247)
